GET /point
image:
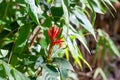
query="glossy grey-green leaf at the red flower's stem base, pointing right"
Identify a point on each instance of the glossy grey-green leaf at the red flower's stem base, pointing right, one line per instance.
(62, 63)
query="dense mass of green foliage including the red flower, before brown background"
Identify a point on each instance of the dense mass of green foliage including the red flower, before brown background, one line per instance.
(26, 45)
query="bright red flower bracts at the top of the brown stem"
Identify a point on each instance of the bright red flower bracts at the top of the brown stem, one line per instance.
(53, 33)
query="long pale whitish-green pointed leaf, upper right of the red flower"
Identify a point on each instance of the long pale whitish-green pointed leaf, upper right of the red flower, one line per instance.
(84, 22)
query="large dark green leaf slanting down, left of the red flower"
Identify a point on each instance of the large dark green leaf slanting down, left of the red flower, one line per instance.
(22, 38)
